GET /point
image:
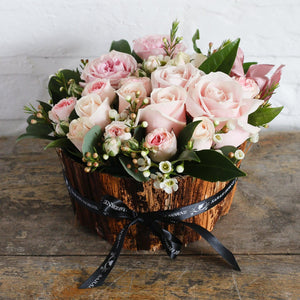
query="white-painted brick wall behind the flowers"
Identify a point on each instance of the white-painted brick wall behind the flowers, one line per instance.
(39, 37)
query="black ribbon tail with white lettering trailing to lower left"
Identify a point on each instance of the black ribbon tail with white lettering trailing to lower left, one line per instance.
(99, 276)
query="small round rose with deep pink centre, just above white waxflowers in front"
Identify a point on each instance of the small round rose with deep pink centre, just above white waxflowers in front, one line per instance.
(163, 142)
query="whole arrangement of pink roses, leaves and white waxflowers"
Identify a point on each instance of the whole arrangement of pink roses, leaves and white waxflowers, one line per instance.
(157, 112)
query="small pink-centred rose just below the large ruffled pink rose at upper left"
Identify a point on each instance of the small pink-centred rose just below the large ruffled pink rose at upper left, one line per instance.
(101, 87)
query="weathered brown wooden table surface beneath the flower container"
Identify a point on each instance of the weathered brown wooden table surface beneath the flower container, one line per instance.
(44, 254)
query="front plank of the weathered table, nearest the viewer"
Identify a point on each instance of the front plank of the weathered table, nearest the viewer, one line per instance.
(148, 277)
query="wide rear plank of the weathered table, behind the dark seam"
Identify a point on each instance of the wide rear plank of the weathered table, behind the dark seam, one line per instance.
(36, 214)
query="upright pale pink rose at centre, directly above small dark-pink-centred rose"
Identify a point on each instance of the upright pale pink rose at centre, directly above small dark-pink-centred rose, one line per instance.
(167, 110)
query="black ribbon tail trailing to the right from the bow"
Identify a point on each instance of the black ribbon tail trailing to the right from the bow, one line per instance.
(215, 243)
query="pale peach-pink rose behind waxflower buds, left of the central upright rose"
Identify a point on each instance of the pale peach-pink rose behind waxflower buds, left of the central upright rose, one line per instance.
(130, 88)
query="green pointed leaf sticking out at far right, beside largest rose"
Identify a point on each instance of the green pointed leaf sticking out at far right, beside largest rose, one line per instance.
(263, 115)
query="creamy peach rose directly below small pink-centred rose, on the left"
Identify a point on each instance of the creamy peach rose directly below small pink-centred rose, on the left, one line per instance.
(94, 108)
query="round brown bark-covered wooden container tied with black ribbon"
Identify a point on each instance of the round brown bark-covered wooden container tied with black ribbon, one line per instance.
(142, 197)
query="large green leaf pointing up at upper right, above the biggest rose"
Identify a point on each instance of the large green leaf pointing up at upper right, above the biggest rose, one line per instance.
(221, 60)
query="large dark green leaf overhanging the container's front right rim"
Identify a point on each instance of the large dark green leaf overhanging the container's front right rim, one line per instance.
(213, 166)
